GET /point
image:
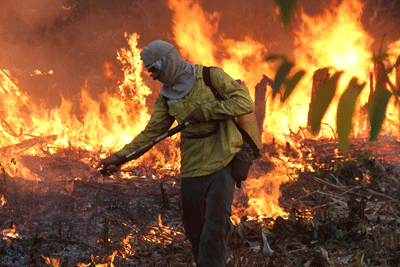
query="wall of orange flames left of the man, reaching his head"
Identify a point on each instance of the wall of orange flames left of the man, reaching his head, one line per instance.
(83, 123)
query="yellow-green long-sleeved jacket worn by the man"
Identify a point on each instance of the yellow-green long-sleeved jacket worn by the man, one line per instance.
(201, 156)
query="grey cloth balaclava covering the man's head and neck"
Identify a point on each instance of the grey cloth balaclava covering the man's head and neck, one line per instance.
(177, 75)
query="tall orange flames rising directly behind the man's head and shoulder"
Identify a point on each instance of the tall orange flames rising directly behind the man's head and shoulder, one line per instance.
(244, 60)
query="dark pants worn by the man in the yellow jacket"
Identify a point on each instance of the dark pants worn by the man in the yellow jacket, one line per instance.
(206, 203)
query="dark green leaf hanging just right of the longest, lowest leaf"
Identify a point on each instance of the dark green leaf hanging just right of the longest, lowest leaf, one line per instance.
(377, 110)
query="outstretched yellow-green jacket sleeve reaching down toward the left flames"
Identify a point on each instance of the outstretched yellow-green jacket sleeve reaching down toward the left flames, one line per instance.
(160, 122)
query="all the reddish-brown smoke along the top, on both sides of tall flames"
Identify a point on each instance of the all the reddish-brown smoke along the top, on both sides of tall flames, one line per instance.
(75, 37)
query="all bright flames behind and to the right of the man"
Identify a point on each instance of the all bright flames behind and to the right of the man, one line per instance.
(334, 39)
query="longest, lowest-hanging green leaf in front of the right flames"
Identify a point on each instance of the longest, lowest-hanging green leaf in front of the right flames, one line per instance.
(345, 112)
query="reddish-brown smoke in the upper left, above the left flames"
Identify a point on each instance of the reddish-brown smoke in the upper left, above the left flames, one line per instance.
(73, 38)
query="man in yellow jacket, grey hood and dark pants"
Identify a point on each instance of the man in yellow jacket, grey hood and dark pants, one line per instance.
(207, 145)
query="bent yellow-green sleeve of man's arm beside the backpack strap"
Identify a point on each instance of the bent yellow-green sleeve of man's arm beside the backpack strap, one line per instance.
(237, 101)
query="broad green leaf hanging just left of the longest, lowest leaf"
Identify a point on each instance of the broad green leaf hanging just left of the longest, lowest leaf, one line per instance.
(322, 101)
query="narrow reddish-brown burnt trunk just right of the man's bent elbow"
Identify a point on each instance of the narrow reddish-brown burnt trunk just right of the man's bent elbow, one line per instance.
(260, 101)
